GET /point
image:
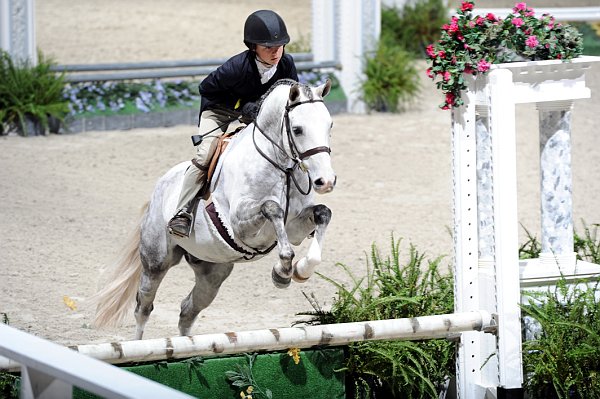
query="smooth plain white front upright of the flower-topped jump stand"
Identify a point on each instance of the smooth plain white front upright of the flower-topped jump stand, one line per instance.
(502, 127)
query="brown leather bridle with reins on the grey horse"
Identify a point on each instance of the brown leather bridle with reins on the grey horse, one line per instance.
(296, 156)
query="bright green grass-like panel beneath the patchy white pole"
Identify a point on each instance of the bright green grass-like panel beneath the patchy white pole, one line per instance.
(314, 377)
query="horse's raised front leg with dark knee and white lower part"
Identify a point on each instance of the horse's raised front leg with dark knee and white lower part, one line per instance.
(320, 215)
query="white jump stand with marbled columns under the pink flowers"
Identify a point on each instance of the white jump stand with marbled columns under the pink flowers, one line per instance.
(488, 273)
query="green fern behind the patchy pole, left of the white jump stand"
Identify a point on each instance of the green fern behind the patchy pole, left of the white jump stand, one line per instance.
(391, 289)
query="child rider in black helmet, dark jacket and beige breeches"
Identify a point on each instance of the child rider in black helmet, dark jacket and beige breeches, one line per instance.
(230, 92)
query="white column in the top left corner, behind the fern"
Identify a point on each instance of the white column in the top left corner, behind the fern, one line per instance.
(17, 29)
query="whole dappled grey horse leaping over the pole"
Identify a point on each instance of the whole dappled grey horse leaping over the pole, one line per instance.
(262, 197)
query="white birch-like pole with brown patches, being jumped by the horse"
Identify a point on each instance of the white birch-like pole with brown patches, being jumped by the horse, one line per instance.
(273, 339)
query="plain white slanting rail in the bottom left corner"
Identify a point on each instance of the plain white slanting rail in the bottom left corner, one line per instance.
(49, 370)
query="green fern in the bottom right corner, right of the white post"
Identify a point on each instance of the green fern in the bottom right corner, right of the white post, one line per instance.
(563, 360)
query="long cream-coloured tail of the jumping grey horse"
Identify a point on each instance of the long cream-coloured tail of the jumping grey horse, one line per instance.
(115, 300)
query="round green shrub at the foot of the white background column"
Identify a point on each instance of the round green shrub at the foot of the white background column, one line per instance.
(392, 79)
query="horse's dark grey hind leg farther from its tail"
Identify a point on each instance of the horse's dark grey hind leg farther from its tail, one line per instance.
(209, 277)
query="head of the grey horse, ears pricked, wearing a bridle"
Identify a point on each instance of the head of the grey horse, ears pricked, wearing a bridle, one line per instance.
(307, 132)
